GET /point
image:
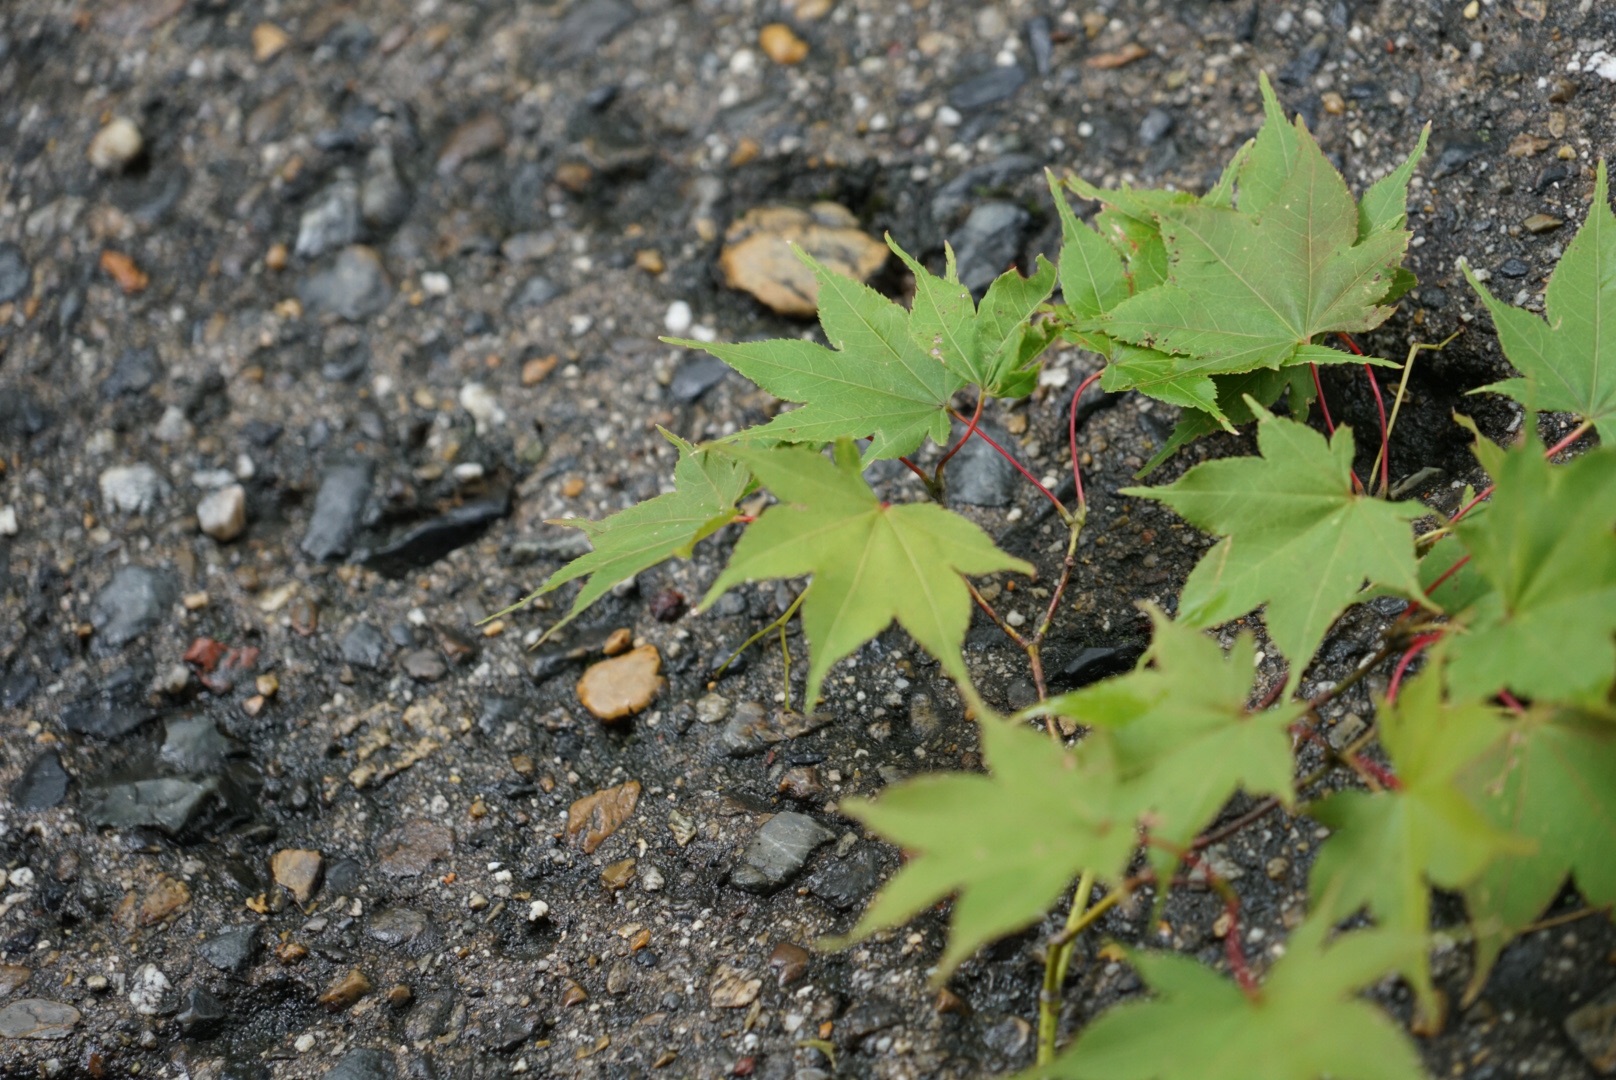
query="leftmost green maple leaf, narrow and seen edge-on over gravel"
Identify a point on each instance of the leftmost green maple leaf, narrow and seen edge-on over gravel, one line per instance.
(707, 484)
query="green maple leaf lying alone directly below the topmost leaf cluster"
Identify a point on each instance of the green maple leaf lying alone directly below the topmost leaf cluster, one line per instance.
(1295, 536)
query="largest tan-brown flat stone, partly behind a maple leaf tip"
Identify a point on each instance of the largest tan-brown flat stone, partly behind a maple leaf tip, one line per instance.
(759, 253)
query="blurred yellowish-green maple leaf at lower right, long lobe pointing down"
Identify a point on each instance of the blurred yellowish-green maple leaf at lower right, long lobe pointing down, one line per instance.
(1391, 848)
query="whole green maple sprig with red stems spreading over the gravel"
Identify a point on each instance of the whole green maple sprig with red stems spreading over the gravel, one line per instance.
(1496, 743)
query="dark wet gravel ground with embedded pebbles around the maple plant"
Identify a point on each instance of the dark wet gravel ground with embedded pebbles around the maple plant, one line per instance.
(313, 316)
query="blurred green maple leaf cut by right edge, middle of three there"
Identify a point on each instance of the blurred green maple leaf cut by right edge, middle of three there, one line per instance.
(1546, 551)
